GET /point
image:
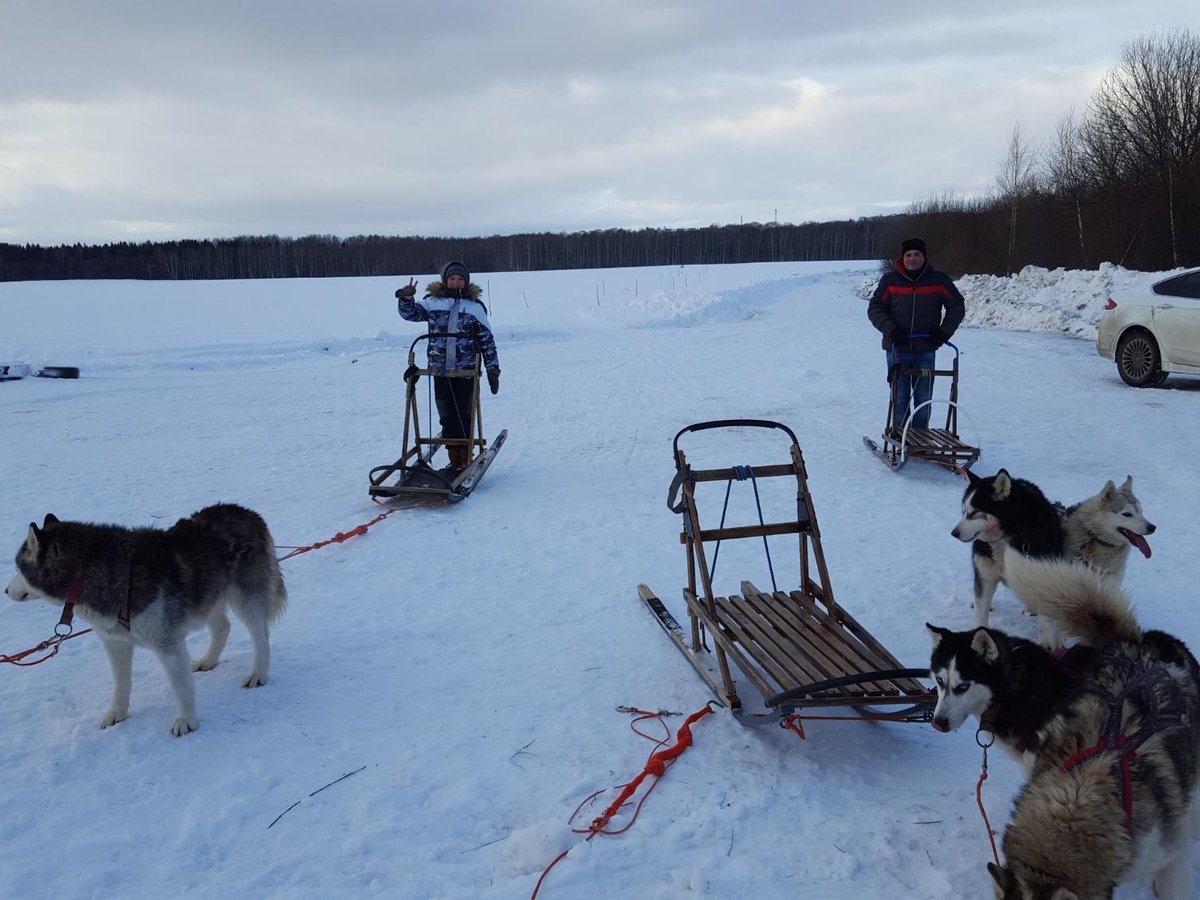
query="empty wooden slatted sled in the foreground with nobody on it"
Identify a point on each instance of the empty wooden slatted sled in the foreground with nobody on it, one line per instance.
(799, 649)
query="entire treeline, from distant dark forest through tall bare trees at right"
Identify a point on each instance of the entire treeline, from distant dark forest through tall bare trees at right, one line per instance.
(1120, 183)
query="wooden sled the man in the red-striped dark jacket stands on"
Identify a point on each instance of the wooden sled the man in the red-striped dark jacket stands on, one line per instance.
(902, 442)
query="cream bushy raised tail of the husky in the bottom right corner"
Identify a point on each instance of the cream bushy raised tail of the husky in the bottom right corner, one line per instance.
(1073, 596)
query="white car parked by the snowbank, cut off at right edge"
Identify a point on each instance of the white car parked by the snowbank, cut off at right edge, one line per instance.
(1151, 333)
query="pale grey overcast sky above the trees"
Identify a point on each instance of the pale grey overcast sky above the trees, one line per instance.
(152, 121)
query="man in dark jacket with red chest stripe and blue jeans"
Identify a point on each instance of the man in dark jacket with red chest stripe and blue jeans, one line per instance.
(916, 308)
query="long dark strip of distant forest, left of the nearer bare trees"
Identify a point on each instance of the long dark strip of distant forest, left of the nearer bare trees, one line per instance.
(326, 256)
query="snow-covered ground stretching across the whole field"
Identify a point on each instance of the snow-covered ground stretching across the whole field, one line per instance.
(466, 664)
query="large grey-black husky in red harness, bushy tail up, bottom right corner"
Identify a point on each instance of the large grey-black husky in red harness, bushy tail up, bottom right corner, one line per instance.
(1113, 794)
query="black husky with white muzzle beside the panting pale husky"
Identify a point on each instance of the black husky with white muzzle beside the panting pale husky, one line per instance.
(1000, 512)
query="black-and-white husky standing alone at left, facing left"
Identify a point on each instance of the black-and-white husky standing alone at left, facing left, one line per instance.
(149, 587)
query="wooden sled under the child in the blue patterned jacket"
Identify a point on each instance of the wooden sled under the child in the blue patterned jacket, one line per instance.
(412, 481)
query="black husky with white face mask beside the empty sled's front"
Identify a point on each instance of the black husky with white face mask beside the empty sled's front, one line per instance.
(1012, 686)
